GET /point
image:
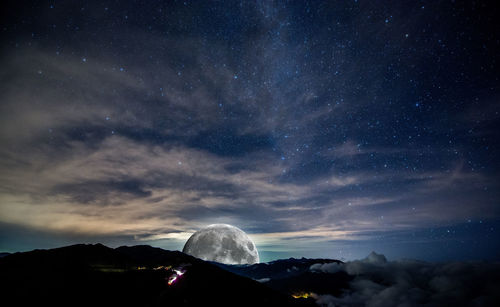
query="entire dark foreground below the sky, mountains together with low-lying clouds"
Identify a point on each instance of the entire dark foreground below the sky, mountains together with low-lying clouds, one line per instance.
(95, 275)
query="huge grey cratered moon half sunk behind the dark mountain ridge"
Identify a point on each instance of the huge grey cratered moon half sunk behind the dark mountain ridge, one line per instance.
(222, 243)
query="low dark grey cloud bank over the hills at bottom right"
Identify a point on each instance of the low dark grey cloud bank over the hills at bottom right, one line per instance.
(378, 282)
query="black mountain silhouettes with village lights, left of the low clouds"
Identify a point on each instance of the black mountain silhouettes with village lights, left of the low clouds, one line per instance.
(95, 275)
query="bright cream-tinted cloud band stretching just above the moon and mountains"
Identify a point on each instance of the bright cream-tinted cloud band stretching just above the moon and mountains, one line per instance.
(142, 189)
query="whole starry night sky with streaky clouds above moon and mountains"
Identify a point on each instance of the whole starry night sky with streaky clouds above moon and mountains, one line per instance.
(320, 128)
